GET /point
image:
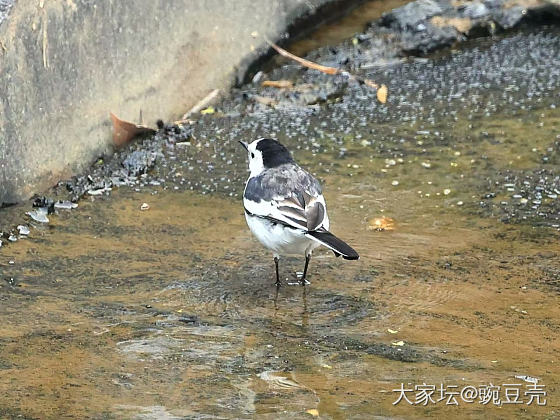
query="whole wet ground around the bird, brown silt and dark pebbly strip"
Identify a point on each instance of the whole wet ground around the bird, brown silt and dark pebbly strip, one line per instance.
(110, 311)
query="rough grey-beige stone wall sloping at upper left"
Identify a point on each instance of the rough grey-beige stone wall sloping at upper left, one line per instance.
(66, 65)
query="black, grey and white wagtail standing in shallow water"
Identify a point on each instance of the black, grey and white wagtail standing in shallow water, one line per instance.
(284, 206)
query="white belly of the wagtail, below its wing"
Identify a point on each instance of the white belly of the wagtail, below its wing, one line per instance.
(280, 239)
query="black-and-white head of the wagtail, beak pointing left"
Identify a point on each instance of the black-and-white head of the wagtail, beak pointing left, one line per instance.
(266, 153)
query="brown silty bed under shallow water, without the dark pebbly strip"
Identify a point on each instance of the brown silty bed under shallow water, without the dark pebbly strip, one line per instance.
(112, 312)
